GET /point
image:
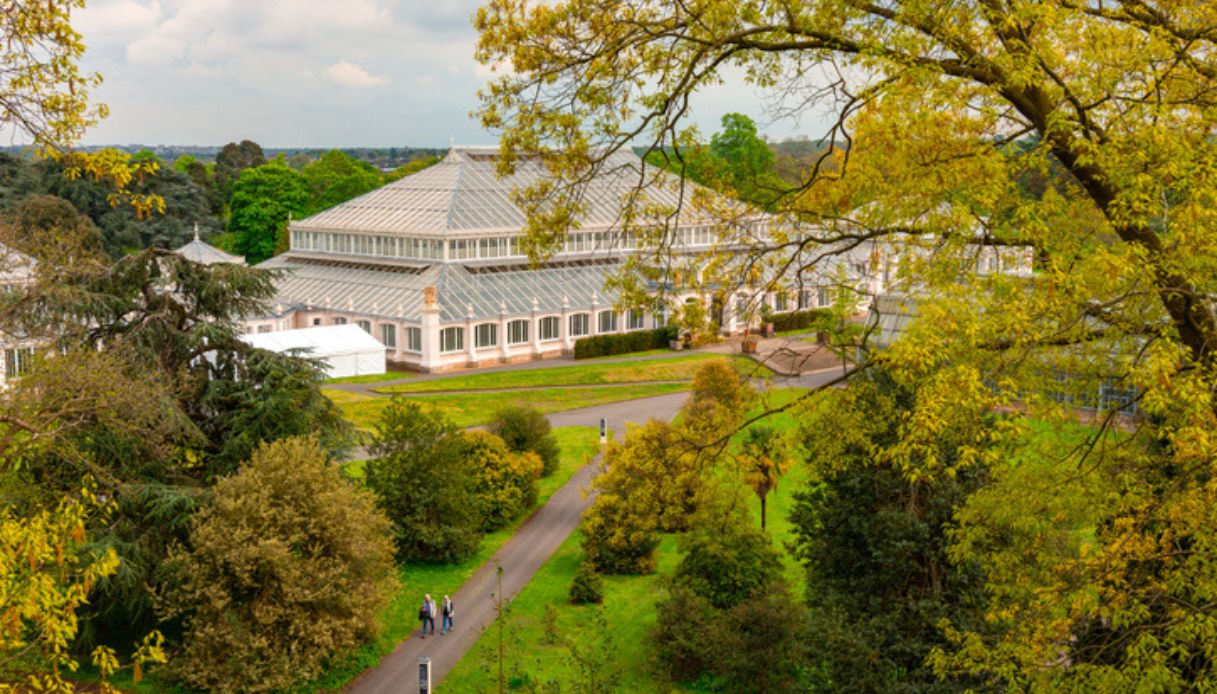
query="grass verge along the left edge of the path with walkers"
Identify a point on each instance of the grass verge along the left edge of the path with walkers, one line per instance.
(579, 446)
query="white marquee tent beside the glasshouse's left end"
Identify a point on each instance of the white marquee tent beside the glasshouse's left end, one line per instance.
(347, 350)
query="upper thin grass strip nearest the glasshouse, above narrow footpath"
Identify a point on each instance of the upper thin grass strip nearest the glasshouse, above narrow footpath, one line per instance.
(676, 370)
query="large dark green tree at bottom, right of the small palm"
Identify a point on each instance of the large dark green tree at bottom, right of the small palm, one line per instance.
(877, 544)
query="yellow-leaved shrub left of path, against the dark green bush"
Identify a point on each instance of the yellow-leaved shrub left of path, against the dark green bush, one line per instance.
(507, 482)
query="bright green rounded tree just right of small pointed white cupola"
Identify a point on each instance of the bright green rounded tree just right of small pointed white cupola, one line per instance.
(262, 202)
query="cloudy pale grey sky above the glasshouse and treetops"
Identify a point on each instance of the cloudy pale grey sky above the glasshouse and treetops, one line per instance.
(306, 74)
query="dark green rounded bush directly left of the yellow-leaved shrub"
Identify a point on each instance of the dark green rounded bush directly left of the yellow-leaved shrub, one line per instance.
(425, 484)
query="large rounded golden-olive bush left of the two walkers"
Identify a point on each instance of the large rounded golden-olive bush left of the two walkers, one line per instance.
(288, 564)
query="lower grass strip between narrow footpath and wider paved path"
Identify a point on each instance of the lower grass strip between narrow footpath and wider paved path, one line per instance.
(470, 410)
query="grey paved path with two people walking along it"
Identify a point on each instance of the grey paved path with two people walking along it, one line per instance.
(521, 557)
